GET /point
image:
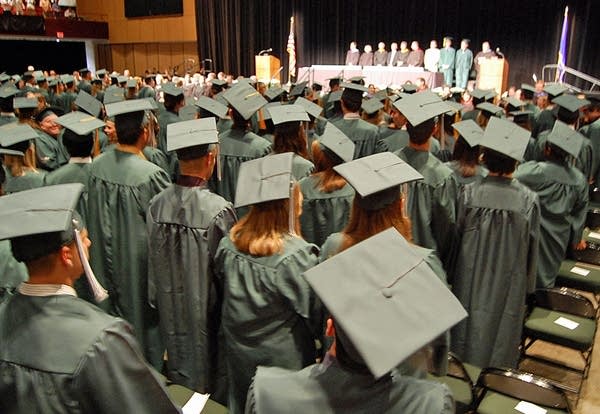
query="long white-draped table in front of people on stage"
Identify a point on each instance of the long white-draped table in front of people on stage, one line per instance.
(380, 76)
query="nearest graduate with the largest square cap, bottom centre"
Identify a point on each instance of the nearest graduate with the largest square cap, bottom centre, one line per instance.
(373, 300)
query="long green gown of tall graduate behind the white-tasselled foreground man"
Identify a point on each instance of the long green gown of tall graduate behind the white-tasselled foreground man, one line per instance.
(120, 189)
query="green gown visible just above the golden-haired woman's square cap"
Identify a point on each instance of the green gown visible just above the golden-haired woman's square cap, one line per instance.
(235, 147)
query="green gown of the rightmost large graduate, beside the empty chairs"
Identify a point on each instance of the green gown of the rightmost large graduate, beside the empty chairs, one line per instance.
(563, 193)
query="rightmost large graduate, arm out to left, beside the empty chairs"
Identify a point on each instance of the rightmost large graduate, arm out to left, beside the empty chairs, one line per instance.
(563, 193)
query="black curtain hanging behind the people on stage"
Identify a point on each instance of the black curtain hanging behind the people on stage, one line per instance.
(232, 32)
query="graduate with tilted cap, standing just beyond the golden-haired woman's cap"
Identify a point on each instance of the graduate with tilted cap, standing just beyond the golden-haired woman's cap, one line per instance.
(239, 144)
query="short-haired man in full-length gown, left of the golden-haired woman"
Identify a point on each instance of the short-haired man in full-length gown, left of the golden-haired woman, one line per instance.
(185, 223)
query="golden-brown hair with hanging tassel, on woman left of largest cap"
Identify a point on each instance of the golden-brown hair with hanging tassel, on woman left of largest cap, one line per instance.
(261, 232)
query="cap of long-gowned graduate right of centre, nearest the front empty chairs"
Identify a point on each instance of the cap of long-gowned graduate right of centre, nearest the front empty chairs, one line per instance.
(506, 138)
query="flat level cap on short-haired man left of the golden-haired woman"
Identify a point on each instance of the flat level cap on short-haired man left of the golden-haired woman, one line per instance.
(187, 134)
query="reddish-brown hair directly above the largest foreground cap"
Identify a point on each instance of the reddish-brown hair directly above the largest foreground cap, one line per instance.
(366, 223)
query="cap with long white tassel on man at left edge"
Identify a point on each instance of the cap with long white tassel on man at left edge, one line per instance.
(40, 221)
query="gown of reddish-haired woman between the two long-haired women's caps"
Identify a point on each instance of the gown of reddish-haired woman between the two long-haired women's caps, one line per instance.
(323, 213)
